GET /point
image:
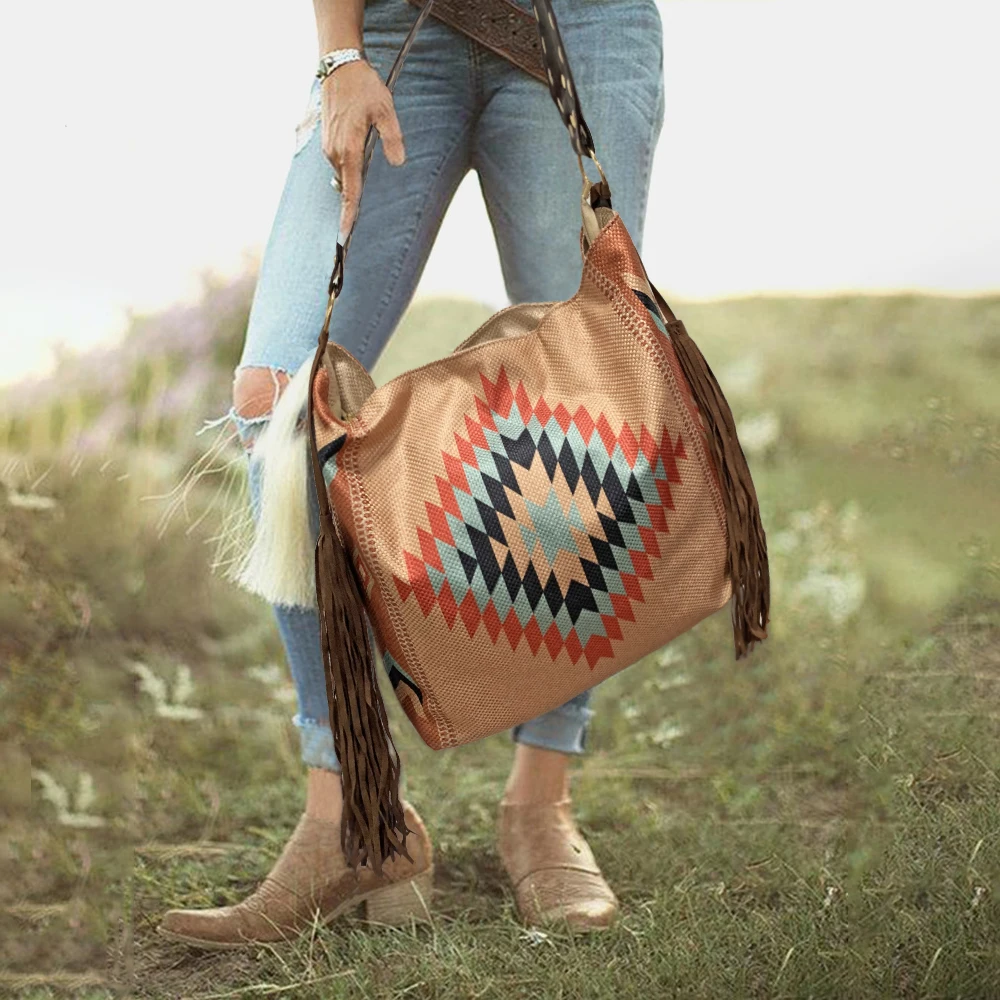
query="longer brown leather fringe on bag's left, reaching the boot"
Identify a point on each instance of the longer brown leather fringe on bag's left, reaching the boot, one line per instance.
(373, 828)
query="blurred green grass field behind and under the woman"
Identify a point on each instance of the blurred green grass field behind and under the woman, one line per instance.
(822, 820)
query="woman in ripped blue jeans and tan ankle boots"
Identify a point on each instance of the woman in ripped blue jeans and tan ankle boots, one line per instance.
(457, 106)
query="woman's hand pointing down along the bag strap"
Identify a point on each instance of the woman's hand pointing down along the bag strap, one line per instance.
(355, 97)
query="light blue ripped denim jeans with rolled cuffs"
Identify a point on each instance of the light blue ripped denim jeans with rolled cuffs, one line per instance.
(461, 107)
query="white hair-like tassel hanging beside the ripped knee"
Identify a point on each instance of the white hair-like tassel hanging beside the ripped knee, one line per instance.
(279, 566)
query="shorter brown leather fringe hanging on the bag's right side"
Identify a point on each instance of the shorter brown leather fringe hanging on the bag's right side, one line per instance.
(746, 561)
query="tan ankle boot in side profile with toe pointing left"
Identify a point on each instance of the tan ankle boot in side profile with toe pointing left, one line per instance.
(311, 879)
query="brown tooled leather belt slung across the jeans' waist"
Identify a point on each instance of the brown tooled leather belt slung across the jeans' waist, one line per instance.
(500, 25)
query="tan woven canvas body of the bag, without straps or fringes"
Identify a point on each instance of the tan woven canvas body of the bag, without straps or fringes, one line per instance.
(533, 513)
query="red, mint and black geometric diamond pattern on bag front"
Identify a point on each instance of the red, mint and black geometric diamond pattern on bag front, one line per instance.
(546, 525)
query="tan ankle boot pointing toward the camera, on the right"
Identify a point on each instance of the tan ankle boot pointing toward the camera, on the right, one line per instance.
(552, 868)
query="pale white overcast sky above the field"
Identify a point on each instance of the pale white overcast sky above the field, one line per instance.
(147, 144)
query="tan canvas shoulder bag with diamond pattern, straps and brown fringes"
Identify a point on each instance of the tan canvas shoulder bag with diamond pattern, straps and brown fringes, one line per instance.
(558, 497)
